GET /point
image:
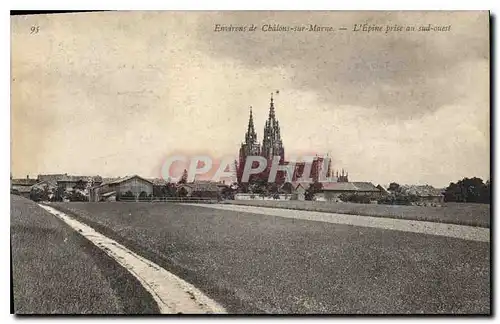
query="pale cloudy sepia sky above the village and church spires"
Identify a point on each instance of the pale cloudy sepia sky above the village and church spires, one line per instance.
(117, 93)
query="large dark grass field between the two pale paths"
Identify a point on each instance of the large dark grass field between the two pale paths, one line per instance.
(254, 263)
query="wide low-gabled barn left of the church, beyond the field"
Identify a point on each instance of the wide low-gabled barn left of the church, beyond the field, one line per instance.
(135, 185)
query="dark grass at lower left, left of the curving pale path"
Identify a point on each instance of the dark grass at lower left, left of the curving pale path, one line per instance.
(57, 271)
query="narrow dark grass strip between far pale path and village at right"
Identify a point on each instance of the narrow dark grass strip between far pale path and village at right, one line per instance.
(452, 213)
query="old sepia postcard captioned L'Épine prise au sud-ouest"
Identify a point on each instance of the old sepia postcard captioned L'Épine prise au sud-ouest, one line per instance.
(251, 162)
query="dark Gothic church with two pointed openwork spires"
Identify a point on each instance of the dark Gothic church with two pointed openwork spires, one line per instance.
(272, 145)
